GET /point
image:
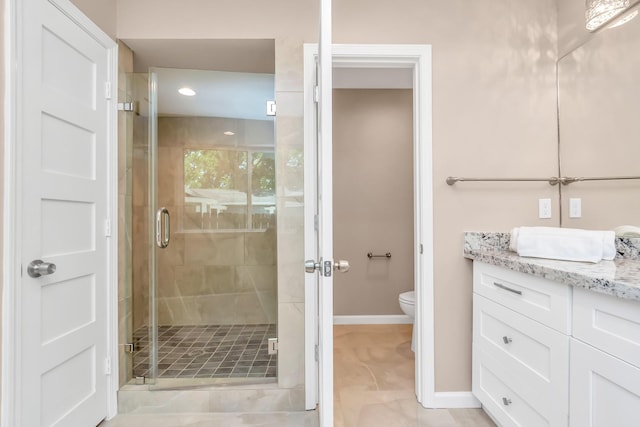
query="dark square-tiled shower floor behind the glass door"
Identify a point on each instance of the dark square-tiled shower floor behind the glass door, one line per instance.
(208, 351)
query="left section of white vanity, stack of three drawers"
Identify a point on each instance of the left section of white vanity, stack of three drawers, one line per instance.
(521, 347)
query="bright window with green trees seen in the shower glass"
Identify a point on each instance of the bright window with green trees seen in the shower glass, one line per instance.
(228, 190)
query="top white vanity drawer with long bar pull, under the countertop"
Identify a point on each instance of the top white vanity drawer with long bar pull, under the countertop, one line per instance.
(542, 300)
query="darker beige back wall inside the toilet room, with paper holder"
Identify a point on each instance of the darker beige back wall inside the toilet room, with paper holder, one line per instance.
(372, 198)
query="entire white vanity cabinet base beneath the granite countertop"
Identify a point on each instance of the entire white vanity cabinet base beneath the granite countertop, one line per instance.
(548, 354)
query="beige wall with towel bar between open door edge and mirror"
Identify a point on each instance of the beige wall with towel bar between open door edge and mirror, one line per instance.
(493, 115)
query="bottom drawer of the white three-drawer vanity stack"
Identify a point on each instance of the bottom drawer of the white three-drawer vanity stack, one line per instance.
(512, 406)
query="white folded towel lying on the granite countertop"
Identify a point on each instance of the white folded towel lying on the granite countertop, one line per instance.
(568, 244)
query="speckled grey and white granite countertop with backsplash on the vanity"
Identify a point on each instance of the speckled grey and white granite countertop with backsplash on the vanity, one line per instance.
(620, 277)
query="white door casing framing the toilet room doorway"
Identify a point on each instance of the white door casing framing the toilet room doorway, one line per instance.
(383, 61)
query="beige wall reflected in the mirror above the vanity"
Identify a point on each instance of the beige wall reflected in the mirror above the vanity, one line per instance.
(598, 104)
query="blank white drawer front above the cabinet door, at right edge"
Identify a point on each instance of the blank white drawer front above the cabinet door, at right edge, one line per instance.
(608, 323)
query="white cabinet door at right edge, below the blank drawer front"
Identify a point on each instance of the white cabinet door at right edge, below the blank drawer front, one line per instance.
(605, 391)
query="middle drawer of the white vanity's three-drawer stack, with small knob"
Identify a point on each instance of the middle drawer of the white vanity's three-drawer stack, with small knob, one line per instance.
(539, 352)
